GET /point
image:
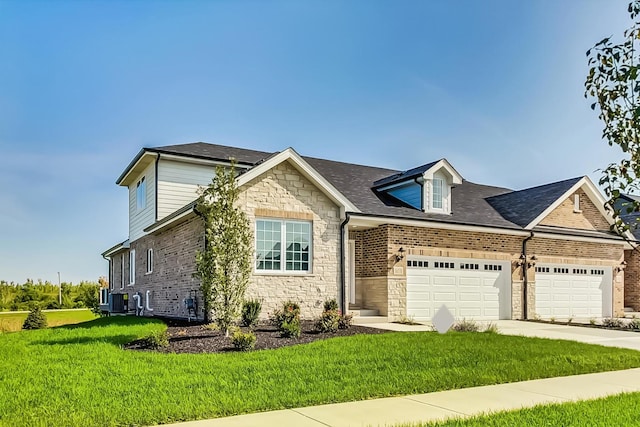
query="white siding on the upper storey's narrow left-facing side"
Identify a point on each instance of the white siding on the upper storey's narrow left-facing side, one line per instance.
(139, 219)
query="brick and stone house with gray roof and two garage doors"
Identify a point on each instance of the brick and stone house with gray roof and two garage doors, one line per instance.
(399, 243)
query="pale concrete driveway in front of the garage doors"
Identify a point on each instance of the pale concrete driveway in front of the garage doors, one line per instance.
(606, 337)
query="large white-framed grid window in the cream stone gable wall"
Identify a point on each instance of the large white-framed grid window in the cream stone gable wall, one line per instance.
(283, 245)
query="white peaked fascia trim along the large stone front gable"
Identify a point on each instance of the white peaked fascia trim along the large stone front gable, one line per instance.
(305, 169)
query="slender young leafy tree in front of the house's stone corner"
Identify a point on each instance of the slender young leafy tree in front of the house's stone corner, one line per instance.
(224, 265)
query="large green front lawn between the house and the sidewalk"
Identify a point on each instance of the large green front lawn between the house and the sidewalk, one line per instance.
(79, 375)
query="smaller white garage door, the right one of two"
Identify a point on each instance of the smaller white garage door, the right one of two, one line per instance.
(565, 291)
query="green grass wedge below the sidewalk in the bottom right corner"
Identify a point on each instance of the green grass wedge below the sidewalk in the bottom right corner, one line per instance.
(612, 411)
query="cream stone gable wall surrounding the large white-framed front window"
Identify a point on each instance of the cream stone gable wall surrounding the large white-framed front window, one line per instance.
(284, 193)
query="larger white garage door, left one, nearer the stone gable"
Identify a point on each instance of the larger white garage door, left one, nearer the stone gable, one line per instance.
(472, 289)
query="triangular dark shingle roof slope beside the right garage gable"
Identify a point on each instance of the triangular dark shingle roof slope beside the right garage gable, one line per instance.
(522, 207)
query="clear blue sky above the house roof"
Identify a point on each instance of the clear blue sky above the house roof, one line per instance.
(496, 87)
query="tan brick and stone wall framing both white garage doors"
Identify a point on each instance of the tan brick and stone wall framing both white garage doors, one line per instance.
(380, 276)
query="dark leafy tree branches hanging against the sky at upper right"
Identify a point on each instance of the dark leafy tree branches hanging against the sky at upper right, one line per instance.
(613, 87)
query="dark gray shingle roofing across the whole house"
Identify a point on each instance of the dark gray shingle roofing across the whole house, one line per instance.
(472, 204)
